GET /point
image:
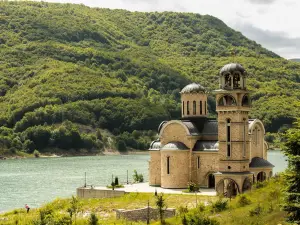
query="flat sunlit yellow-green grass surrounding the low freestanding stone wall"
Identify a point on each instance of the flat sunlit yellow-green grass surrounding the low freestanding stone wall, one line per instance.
(104, 208)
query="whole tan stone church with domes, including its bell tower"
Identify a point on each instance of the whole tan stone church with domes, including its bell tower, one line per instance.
(228, 154)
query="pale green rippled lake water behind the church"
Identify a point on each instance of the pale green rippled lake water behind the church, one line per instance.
(37, 181)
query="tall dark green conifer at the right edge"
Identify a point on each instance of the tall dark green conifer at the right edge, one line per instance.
(292, 151)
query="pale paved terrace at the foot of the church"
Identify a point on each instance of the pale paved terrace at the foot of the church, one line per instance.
(145, 188)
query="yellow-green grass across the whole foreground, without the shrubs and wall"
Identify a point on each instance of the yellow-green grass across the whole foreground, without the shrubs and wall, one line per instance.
(269, 198)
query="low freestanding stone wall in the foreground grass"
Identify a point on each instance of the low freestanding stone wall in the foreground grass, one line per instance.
(142, 214)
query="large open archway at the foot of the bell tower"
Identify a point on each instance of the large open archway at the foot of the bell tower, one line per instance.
(228, 187)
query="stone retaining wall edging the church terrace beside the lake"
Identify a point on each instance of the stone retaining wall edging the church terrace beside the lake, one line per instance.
(84, 192)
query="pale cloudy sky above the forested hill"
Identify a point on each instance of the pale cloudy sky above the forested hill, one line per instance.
(275, 24)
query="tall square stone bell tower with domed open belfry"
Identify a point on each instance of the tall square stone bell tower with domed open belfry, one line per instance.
(233, 106)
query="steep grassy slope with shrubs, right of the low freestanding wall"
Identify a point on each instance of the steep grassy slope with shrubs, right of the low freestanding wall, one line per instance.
(261, 206)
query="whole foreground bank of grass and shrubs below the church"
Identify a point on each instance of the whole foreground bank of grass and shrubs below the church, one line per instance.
(260, 206)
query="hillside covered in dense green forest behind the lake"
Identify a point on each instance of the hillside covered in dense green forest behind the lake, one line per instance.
(71, 75)
